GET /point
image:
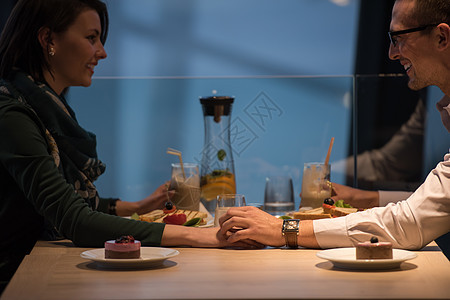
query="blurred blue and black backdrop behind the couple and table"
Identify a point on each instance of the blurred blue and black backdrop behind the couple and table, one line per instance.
(301, 72)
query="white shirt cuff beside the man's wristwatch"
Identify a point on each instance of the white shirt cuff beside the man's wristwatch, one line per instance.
(332, 233)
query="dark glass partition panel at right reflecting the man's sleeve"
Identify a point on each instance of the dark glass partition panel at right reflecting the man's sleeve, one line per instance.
(399, 134)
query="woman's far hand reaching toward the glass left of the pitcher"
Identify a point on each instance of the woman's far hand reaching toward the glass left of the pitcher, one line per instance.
(155, 201)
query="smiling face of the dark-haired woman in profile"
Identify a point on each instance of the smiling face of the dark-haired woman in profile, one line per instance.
(77, 52)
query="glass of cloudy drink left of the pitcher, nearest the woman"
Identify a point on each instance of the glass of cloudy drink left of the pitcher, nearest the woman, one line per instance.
(186, 183)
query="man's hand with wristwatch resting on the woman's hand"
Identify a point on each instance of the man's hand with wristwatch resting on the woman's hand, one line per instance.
(247, 223)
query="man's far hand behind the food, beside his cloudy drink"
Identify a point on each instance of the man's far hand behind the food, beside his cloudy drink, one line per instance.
(355, 197)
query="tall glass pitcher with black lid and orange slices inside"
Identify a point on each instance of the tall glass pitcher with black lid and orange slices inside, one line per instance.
(217, 166)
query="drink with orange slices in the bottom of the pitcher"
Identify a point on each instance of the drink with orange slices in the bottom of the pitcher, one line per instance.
(216, 183)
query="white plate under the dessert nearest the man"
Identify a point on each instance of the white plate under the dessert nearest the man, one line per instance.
(346, 258)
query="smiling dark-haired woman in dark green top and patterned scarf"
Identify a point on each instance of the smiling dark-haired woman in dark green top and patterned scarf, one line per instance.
(47, 161)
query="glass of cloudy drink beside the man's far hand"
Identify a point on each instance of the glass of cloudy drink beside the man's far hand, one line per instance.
(315, 185)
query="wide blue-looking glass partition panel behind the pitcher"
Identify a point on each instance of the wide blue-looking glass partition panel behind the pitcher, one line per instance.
(278, 124)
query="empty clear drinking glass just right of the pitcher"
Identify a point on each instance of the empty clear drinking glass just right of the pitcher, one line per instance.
(279, 195)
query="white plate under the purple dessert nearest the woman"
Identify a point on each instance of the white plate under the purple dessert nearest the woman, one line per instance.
(150, 256)
